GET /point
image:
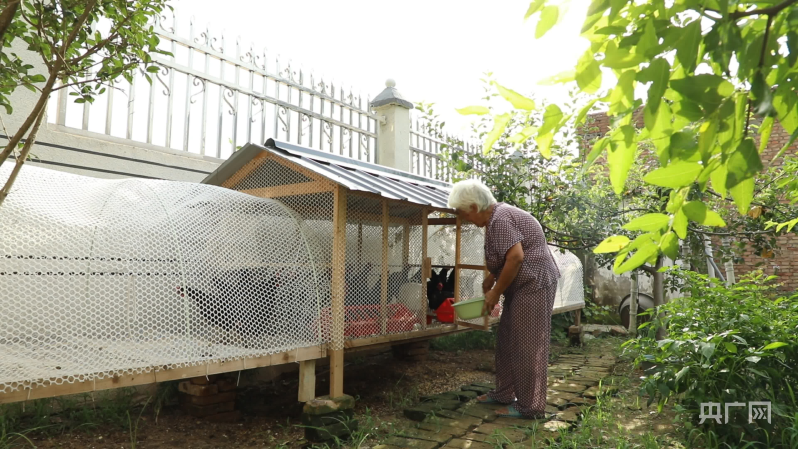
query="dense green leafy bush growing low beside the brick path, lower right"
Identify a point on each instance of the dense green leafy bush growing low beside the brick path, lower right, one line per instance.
(725, 345)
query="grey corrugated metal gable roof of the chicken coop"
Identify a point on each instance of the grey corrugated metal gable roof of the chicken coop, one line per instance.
(352, 174)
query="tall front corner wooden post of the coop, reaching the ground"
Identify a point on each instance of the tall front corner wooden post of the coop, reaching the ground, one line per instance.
(338, 292)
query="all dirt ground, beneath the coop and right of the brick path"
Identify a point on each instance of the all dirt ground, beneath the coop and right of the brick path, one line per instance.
(383, 387)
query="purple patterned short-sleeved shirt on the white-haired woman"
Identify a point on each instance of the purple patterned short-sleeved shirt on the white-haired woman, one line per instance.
(507, 226)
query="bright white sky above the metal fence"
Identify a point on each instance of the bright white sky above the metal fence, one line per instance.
(435, 50)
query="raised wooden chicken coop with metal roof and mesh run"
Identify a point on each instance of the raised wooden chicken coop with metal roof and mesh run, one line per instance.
(283, 254)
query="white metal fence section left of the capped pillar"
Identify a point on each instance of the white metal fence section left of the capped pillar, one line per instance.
(209, 99)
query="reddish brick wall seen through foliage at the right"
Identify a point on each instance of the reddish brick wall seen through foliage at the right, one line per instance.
(784, 260)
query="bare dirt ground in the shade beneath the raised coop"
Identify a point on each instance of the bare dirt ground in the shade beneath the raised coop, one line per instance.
(381, 384)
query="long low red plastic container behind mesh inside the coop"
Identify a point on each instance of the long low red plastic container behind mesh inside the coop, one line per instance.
(362, 321)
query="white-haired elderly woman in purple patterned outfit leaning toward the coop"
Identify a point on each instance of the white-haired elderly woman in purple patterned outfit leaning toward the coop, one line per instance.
(523, 270)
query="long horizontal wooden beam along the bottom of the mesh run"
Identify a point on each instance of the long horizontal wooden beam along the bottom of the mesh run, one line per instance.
(32, 392)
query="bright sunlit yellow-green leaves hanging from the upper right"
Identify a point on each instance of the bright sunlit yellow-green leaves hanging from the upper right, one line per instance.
(711, 68)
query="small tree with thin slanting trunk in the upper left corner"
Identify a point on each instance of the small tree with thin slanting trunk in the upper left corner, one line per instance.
(85, 46)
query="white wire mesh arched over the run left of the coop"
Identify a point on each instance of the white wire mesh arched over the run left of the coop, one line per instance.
(106, 277)
